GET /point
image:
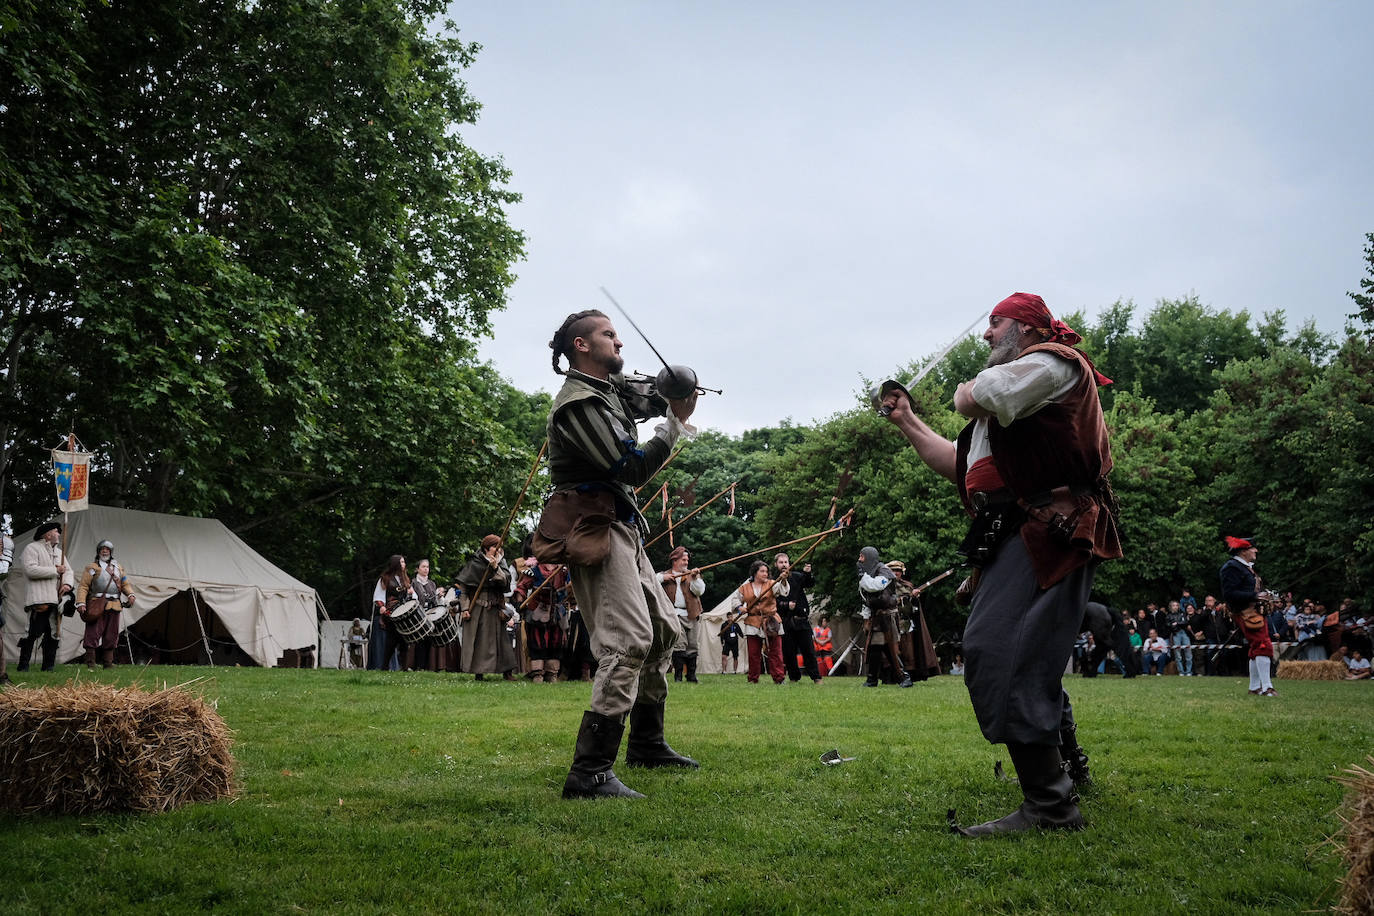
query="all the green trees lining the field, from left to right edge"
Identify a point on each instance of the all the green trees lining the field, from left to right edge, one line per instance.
(247, 255)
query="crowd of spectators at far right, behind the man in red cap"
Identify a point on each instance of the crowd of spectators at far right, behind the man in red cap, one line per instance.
(1189, 639)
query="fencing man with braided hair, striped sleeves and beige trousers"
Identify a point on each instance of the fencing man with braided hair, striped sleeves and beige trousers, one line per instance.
(593, 523)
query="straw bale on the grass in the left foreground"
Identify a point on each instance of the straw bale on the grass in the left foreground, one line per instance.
(95, 748)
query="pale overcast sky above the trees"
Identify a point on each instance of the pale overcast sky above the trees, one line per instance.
(791, 196)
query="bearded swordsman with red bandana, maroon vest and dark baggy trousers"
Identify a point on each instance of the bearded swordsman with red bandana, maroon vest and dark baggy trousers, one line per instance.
(1031, 469)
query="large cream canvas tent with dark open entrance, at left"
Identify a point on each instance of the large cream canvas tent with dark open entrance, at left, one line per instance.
(190, 572)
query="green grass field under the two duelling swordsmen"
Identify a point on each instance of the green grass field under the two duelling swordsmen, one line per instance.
(414, 793)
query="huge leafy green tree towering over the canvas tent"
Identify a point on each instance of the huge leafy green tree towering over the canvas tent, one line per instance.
(247, 252)
